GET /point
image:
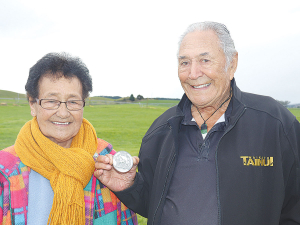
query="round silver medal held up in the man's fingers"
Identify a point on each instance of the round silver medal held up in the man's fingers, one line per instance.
(122, 161)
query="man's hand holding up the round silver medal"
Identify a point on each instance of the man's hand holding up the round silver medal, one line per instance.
(111, 178)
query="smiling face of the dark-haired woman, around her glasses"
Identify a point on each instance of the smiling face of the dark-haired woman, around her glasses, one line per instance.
(59, 125)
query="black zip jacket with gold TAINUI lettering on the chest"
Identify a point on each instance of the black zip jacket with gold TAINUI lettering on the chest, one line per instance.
(257, 162)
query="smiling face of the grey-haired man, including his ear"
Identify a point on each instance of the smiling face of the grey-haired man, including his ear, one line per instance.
(202, 69)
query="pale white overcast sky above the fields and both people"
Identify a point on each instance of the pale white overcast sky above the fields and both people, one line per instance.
(130, 46)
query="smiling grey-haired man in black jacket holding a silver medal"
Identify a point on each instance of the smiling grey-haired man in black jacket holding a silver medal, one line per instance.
(221, 156)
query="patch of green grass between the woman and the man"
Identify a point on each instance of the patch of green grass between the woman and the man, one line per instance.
(122, 125)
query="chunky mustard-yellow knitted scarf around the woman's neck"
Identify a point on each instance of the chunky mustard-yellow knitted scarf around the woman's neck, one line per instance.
(68, 169)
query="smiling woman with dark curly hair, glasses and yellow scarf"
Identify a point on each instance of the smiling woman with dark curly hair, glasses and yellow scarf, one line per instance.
(47, 176)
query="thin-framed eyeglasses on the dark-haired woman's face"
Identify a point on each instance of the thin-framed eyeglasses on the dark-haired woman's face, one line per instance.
(72, 105)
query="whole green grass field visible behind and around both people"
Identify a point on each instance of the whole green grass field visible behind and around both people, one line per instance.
(121, 125)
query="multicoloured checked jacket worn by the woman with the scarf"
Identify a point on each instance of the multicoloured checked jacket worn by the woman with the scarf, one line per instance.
(101, 205)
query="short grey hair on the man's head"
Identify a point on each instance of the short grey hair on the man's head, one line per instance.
(226, 42)
